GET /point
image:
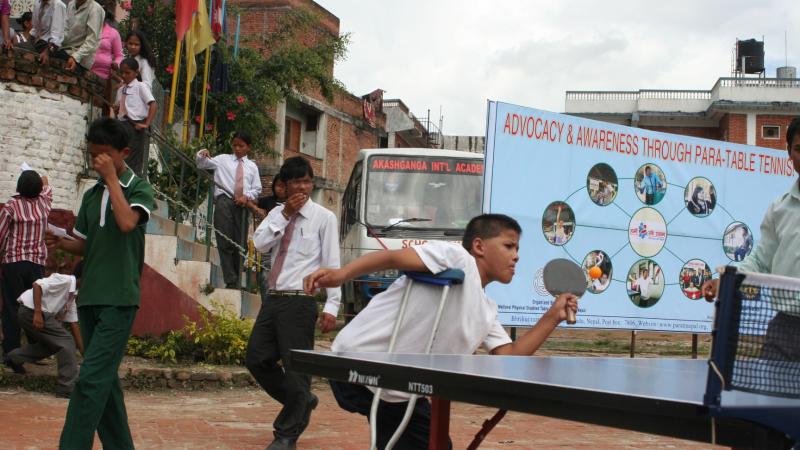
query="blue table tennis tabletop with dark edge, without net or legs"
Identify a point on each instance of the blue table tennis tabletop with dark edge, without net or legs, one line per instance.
(657, 396)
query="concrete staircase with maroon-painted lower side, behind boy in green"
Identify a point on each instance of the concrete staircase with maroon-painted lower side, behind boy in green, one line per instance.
(180, 275)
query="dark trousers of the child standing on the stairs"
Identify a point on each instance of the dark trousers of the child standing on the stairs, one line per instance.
(230, 220)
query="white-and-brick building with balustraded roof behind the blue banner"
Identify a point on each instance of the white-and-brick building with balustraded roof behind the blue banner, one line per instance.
(752, 111)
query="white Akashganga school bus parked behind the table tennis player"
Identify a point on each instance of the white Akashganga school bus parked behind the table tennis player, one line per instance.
(398, 198)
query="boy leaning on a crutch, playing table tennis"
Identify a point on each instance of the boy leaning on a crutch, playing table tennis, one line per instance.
(489, 252)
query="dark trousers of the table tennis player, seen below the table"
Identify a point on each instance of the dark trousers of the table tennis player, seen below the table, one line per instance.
(358, 399)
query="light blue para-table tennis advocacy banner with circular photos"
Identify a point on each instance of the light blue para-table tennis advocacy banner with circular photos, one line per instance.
(647, 215)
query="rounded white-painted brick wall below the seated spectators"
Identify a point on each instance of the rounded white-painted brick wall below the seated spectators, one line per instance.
(43, 119)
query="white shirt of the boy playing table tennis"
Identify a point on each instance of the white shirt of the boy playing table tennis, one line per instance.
(469, 319)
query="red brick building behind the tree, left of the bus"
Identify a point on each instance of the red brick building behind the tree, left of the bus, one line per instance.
(328, 134)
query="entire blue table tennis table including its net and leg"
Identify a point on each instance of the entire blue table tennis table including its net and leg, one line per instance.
(681, 398)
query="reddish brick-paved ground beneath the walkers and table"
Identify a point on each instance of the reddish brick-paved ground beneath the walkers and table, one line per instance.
(240, 419)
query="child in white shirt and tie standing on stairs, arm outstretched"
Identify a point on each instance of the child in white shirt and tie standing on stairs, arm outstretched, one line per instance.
(237, 185)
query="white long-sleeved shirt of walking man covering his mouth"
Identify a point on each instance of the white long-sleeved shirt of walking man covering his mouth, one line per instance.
(314, 245)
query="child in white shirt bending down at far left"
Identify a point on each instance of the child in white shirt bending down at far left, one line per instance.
(42, 312)
